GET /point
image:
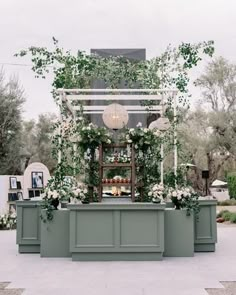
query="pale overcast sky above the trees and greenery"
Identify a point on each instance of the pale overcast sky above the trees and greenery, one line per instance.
(85, 24)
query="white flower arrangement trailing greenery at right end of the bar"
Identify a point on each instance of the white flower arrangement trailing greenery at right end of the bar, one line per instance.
(184, 197)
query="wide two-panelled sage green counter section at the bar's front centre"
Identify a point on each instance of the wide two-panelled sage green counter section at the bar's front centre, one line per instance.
(124, 231)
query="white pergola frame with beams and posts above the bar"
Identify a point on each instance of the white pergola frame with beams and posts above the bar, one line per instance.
(69, 95)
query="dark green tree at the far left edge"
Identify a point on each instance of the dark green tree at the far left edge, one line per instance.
(11, 102)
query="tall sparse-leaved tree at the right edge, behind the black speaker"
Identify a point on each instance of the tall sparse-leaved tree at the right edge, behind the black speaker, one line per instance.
(209, 136)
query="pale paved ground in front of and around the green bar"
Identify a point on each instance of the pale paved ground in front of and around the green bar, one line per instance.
(172, 276)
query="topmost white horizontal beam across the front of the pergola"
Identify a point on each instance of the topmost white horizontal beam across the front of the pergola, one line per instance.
(116, 90)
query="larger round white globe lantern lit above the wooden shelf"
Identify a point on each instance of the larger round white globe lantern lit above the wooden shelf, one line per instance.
(115, 116)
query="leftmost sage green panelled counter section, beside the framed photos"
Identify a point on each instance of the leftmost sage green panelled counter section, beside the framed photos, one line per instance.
(28, 226)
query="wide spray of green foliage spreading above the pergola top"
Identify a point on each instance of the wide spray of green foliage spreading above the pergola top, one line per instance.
(169, 70)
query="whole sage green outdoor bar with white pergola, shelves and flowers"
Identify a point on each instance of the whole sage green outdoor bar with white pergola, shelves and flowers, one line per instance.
(116, 218)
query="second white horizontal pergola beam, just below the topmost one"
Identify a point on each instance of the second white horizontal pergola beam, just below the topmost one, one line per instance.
(113, 97)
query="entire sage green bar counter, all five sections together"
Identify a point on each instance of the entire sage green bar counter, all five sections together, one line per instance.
(115, 231)
